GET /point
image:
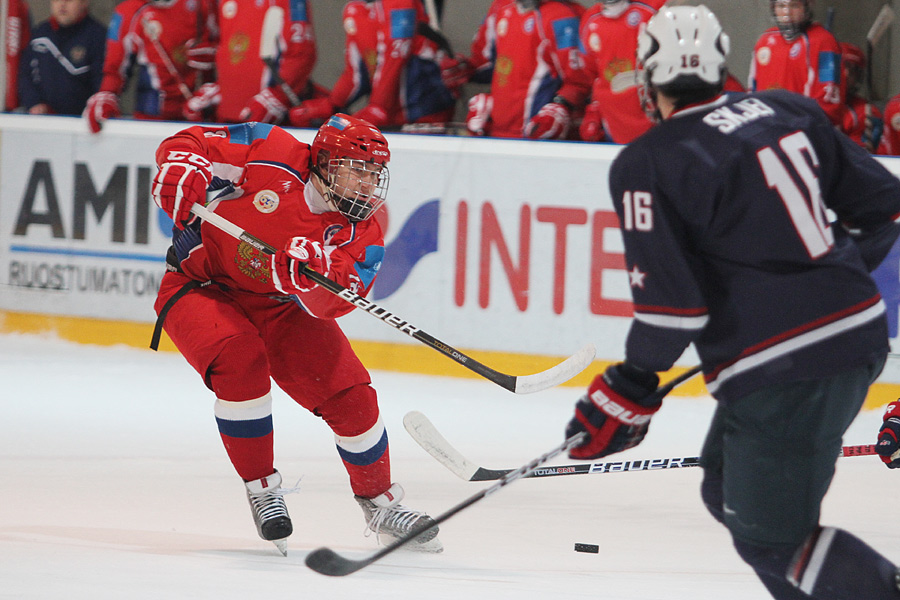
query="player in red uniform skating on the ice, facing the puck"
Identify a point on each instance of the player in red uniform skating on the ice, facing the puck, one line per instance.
(242, 317)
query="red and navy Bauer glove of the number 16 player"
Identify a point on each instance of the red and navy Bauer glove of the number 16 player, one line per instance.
(615, 412)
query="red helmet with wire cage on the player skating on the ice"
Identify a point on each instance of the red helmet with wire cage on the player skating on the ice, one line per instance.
(350, 156)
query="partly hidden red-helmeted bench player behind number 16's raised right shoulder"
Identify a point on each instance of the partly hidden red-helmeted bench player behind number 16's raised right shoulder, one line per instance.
(863, 121)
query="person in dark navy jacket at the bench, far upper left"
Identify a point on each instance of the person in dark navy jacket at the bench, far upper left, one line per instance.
(63, 65)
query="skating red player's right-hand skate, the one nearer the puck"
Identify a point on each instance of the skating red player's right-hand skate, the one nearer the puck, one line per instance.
(390, 520)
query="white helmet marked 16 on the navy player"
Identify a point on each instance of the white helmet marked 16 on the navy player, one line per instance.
(681, 48)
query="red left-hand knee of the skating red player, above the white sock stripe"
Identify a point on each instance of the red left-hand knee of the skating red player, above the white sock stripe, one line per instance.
(240, 371)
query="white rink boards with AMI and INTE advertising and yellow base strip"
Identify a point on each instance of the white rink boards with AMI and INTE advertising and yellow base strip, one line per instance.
(505, 249)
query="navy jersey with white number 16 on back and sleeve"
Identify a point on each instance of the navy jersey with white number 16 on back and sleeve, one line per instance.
(750, 227)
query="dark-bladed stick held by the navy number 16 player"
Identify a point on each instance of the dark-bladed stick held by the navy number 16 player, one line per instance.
(328, 562)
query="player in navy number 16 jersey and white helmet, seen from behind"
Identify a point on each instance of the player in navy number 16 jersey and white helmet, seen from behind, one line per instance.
(723, 210)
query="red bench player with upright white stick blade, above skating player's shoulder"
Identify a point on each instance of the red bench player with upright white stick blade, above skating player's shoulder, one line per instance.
(264, 60)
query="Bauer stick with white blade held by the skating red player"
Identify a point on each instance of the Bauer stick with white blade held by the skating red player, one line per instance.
(521, 384)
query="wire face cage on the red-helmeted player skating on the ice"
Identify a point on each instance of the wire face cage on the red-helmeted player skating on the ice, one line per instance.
(356, 188)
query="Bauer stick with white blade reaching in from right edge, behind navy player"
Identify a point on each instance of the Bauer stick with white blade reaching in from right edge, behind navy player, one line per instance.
(427, 436)
